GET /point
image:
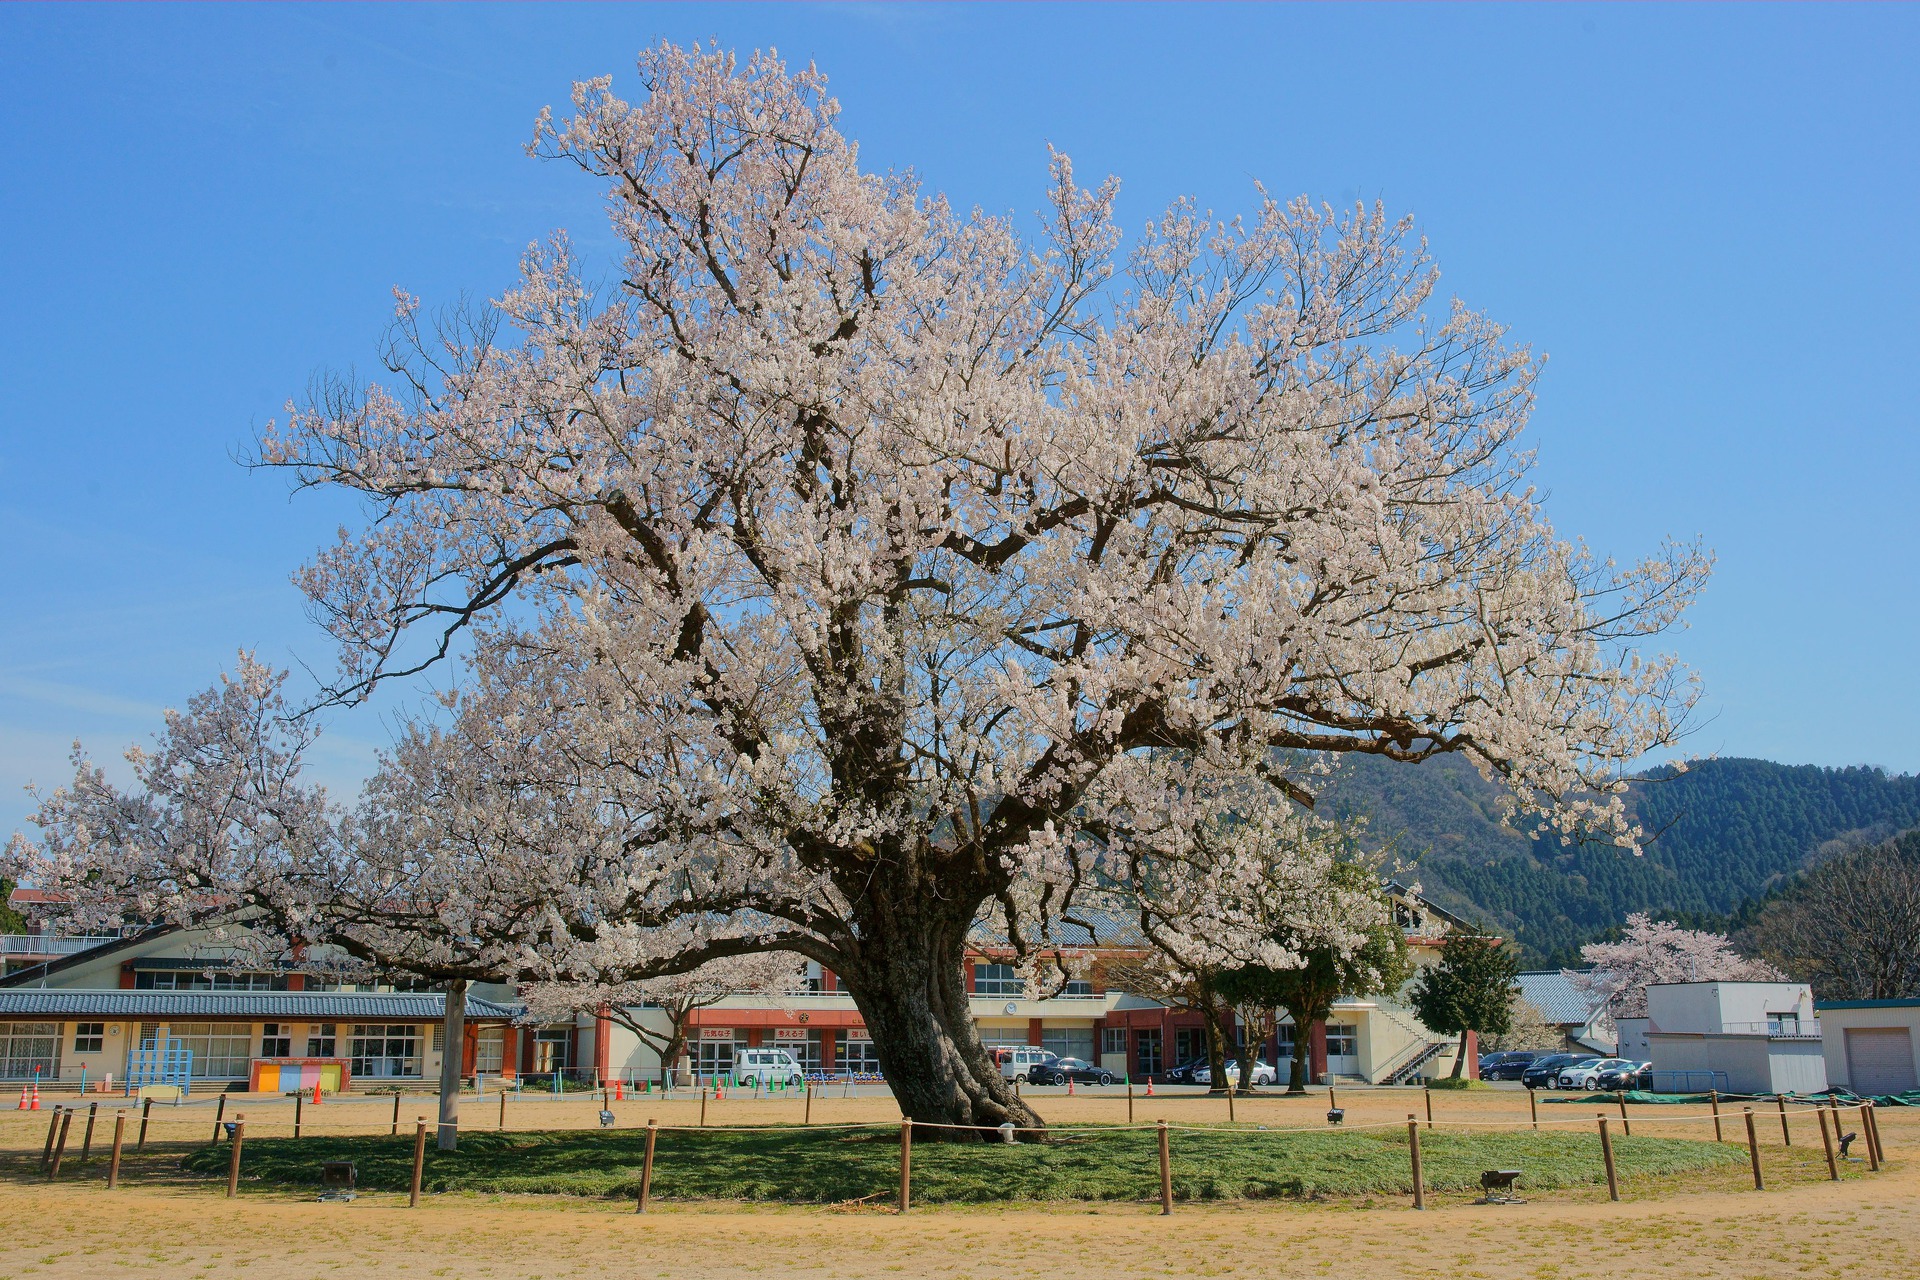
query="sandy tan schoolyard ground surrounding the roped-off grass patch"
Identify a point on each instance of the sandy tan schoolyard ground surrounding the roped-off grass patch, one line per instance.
(160, 1225)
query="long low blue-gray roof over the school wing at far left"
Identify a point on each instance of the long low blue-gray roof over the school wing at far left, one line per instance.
(251, 1005)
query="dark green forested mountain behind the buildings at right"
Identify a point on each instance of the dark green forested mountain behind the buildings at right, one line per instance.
(1723, 832)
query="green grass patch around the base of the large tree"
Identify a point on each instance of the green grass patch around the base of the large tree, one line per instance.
(821, 1166)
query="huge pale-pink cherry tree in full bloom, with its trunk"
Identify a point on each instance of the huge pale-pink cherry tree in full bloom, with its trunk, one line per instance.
(840, 567)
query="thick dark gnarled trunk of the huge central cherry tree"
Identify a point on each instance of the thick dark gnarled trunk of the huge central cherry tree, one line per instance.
(909, 985)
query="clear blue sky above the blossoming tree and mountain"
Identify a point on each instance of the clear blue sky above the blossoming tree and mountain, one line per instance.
(1702, 214)
